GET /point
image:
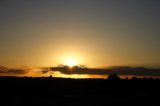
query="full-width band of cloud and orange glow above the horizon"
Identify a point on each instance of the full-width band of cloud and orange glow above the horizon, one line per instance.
(78, 70)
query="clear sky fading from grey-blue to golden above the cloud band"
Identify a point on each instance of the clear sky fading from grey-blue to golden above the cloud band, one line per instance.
(94, 33)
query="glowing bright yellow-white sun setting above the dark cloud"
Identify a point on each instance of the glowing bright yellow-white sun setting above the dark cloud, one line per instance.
(70, 61)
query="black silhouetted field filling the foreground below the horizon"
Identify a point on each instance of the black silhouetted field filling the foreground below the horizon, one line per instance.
(56, 91)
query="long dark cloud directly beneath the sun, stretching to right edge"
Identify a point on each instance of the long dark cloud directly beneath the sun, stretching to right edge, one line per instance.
(121, 70)
